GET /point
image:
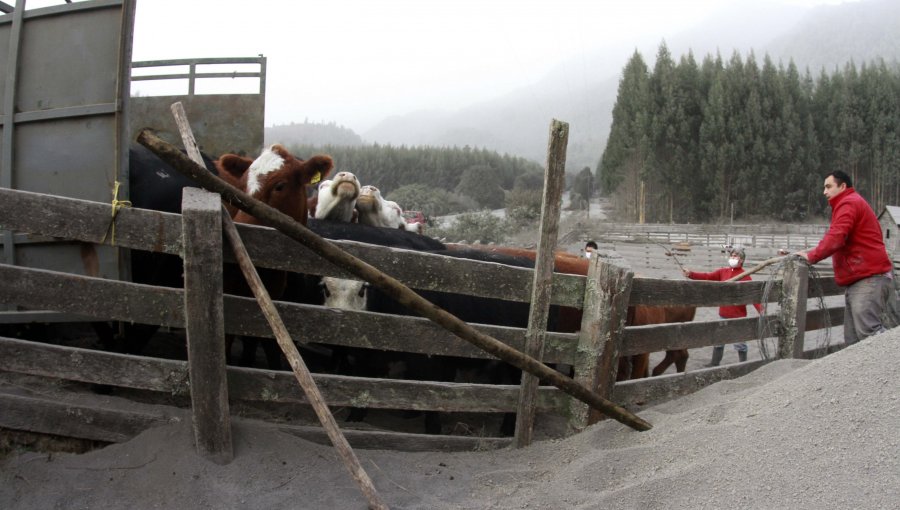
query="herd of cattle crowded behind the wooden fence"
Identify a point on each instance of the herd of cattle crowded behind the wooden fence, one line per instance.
(342, 209)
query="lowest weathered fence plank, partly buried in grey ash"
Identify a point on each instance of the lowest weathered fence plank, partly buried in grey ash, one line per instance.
(100, 420)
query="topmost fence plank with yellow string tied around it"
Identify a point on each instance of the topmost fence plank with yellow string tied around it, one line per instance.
(157, 231)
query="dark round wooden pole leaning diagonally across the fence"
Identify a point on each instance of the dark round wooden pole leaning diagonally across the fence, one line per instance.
(389, 285)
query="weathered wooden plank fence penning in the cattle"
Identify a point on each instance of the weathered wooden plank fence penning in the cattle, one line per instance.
(592, 351)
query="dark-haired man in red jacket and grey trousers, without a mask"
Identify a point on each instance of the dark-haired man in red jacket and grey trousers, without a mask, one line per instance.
(857, 252)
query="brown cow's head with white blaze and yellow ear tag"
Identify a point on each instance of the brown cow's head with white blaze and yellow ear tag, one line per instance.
(276, 178)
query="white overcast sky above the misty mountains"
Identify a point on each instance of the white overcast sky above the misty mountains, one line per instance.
(357, 61)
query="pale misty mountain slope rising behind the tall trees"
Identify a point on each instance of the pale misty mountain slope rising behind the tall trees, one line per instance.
(518, 122)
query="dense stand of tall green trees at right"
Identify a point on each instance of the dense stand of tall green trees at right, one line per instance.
(696, 142)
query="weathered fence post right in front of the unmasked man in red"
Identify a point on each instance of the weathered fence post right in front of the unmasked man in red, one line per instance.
(793, 309)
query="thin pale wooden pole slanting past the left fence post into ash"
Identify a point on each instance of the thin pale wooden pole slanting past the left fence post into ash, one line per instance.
(301, 372)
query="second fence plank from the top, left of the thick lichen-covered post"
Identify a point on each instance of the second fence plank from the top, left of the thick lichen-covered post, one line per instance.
(112, 300)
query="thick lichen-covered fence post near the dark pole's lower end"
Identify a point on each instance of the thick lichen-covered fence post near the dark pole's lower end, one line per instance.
(607, 290)
